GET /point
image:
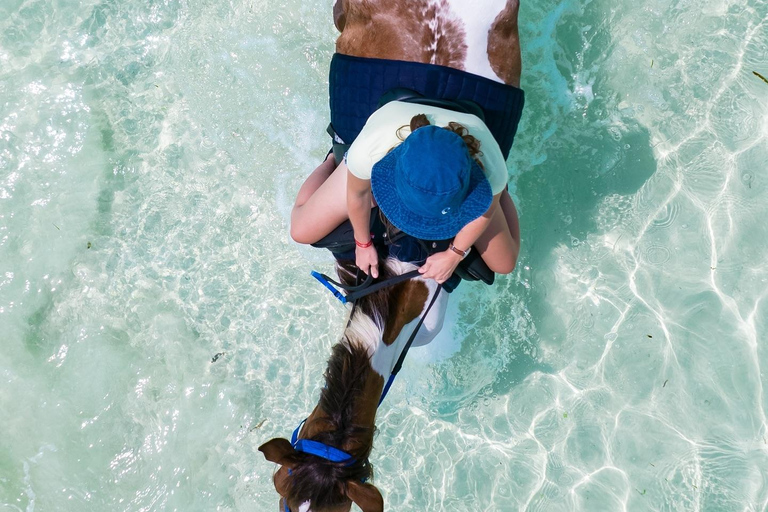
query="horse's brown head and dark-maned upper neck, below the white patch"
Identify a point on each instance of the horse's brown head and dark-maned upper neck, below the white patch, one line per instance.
(325, 467)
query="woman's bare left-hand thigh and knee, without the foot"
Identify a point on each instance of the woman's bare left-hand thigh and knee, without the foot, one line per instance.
(323, 211)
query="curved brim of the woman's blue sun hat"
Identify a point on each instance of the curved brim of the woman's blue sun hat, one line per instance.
(477, 202)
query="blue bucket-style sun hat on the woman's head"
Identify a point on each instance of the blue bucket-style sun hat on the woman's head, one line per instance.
(429, 186)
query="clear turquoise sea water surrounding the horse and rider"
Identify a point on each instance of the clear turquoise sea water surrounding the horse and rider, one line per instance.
(149, 154)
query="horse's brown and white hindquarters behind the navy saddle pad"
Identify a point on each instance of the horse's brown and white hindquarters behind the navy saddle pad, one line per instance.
(479, 37)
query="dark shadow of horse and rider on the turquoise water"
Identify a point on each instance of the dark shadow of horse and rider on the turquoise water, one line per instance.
(578, 144)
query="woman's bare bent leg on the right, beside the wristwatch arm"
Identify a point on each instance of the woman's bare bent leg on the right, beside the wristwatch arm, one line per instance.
(499, 245)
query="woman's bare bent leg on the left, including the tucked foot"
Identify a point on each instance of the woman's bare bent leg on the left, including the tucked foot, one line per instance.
(321, 204)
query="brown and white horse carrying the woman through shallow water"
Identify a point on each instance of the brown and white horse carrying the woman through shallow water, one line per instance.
(480, 37)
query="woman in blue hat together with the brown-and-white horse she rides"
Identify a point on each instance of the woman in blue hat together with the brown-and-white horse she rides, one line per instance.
(433, 160)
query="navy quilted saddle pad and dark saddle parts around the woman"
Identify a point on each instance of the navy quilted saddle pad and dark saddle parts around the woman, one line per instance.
(359, 86)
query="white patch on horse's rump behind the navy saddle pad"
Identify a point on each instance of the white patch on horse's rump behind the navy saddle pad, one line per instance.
(476, 18)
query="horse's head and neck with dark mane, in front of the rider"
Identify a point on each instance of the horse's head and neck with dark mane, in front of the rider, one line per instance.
(325, 467)
